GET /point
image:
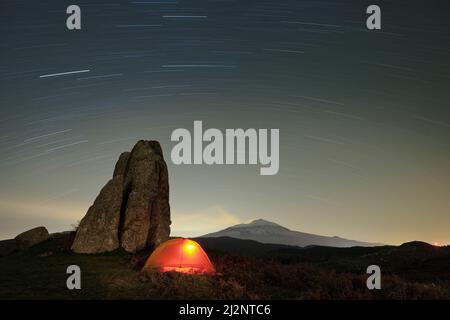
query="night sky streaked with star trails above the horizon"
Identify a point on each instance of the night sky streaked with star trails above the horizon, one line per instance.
(364, 116)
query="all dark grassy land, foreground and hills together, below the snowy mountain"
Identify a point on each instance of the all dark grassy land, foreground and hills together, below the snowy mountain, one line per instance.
(273, 273)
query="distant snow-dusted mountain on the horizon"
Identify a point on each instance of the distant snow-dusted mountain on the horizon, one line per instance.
(269, 232)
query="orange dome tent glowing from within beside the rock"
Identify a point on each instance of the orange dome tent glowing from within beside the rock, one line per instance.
(180, 255)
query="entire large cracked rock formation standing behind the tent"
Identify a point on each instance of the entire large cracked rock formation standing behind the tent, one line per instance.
(132, 210)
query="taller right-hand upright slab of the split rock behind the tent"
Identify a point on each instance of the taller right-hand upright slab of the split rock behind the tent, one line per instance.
(147, 185)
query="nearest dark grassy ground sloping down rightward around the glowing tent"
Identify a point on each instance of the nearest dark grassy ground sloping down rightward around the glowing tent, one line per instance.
(40, 273)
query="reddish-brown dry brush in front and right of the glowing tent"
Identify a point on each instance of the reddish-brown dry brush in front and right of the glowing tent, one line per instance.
(250, 278)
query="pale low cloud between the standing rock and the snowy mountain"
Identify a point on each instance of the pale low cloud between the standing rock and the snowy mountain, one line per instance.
(189, 224)
